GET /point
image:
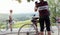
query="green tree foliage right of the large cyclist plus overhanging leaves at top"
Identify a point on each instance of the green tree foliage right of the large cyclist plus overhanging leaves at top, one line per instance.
(54, 7)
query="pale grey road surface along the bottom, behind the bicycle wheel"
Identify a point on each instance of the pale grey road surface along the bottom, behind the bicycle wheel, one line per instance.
(23, 31)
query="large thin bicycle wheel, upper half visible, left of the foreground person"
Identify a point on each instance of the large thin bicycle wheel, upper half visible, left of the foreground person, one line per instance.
(27, 29)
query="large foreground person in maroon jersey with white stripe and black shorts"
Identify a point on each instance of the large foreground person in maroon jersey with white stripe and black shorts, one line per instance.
(43, 9)
